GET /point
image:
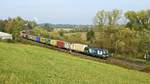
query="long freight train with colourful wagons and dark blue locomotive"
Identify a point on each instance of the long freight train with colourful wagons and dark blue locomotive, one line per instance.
(81, 48)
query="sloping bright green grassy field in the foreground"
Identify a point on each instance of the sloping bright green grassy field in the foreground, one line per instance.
(26, 64)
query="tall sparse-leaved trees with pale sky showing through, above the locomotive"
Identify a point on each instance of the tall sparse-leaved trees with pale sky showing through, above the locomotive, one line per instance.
(107, 18)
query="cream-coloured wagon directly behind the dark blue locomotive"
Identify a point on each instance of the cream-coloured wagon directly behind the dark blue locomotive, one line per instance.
(78, 47)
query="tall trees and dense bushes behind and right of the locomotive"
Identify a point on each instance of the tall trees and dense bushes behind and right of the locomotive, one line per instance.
(127, 33)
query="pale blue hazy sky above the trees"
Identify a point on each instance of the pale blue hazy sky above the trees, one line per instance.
(65, 11)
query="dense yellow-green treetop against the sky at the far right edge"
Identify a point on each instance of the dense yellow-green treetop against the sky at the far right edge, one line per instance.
(138, 20)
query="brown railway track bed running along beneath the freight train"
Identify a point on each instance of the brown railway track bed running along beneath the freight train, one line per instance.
(114, 61)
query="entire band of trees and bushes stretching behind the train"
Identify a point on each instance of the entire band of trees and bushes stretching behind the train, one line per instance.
(126, 33)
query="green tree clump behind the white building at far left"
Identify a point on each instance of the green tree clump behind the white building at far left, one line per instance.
(15, 25)
